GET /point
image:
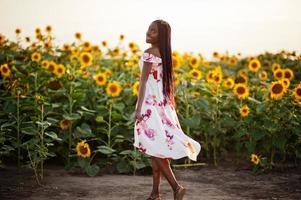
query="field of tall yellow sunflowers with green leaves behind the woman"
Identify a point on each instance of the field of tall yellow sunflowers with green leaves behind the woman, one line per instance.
(75, 103)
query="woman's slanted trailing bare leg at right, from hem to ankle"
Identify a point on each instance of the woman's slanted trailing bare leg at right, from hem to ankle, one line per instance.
(165, 168)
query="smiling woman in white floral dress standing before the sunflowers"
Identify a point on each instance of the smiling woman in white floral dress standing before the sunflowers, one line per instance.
(157, 129)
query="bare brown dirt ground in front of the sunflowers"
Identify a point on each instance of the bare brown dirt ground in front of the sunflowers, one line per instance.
(204, 183)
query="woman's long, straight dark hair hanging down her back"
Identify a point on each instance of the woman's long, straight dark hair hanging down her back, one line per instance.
(164, 31)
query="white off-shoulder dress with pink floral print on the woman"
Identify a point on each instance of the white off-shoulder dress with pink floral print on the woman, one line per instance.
(160, 134)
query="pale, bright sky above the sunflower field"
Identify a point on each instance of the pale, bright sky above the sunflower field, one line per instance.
(248, 27)
